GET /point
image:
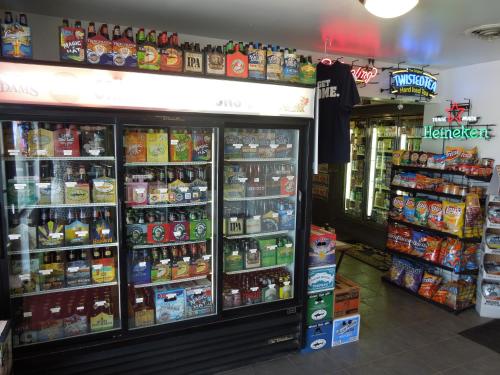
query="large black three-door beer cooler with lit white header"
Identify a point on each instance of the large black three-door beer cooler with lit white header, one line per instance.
(137, 238)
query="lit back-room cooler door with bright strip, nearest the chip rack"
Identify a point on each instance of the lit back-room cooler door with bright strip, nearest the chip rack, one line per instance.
(384, 140)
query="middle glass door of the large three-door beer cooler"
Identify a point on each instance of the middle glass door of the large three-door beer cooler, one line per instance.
(170, 216)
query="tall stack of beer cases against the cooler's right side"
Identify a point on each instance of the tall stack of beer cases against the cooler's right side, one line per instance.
(320, 287)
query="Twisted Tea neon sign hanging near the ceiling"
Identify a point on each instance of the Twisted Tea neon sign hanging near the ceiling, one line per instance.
(413, 81)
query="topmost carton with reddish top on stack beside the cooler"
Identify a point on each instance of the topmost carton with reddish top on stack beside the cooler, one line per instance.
(321, 247)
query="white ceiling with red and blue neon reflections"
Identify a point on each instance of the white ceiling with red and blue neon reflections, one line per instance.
(432, 33)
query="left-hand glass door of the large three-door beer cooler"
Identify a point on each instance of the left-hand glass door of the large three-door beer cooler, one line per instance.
(60, 210)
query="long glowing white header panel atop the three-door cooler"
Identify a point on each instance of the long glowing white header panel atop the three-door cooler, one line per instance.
(22, 83)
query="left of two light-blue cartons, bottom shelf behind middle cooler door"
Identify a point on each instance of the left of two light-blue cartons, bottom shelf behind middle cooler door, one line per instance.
(170, 304)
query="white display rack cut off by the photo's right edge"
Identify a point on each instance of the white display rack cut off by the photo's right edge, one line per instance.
(488, 287)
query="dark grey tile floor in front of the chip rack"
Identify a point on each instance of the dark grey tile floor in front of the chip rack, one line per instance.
(399, 335)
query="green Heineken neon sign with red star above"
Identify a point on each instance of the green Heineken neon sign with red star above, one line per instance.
(456, 126)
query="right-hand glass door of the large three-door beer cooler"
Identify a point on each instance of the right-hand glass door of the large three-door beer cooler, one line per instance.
(260, 202)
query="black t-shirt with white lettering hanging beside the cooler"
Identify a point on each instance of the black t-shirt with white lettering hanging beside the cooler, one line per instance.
(337, 95)
